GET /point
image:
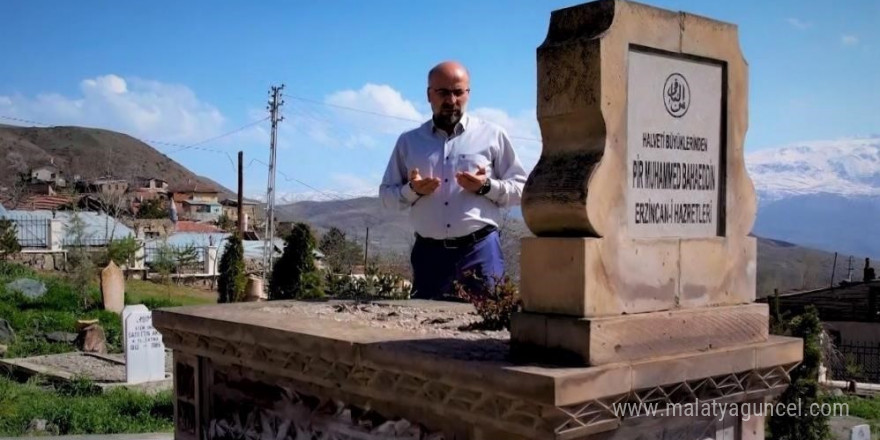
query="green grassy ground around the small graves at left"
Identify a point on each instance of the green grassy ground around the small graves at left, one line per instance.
(38, 405)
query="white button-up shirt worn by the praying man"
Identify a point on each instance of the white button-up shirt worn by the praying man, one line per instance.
(452, 211)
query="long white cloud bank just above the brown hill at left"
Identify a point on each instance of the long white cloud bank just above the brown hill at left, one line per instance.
(142, 108)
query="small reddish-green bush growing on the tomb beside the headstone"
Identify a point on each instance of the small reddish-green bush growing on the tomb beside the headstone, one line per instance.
(495, 299)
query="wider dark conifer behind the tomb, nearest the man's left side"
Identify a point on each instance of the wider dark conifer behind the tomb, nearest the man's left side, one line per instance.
(294, 275)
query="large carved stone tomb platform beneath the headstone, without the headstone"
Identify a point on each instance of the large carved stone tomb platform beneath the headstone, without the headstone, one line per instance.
(342, 370)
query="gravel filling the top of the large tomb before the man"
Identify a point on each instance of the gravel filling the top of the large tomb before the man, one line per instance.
(453, 320)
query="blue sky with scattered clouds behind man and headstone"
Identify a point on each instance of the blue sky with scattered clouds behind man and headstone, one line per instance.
(185, 72)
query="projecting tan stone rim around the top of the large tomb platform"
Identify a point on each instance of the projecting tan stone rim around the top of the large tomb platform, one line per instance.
(548, 385)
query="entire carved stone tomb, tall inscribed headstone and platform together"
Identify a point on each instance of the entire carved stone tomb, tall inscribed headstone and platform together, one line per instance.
(638, 288)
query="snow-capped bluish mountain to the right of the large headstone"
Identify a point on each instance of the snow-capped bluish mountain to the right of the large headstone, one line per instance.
(824, 194)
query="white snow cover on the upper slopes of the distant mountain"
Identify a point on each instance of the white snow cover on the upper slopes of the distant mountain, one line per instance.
(847, 167)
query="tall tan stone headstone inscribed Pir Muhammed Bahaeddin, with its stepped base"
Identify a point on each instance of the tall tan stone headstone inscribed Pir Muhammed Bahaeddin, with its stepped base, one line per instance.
(641, 204)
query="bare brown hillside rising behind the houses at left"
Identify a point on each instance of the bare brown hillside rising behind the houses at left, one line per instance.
(87, 152)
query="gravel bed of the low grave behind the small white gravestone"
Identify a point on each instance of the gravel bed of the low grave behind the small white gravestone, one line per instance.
(81, 364)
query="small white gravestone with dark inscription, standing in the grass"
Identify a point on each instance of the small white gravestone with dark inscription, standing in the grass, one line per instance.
(144, 350)
